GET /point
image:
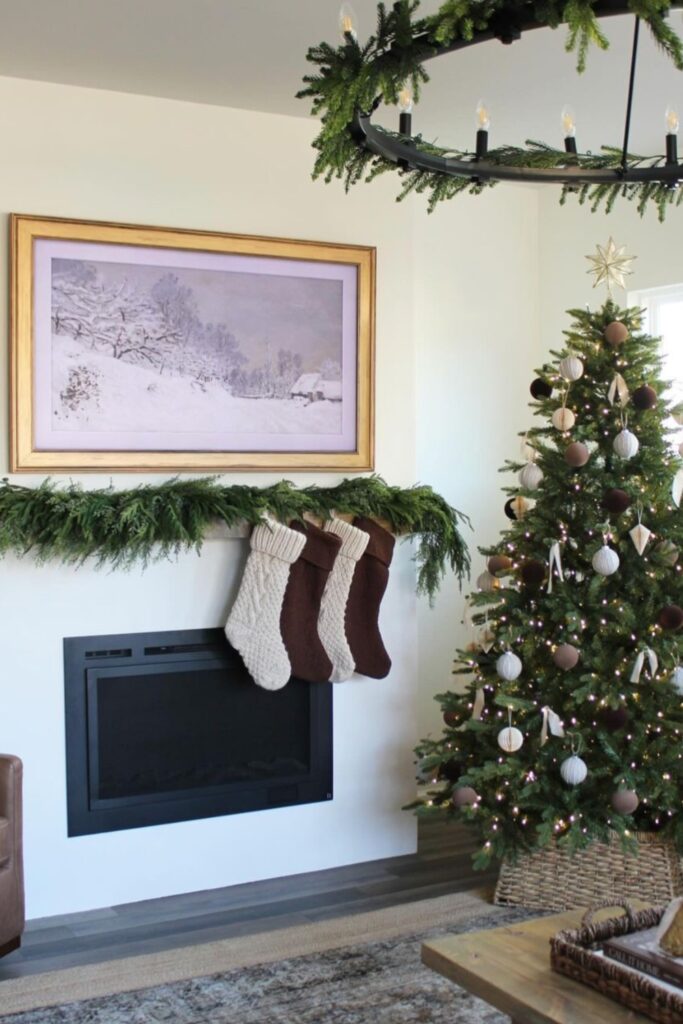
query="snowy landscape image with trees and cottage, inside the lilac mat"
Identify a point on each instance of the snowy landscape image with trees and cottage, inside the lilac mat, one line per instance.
(146, 349)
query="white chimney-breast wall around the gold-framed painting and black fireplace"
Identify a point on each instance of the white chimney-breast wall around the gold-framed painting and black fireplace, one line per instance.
(79, 153)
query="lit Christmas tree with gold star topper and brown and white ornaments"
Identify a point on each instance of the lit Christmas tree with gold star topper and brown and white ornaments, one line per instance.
(571, 726)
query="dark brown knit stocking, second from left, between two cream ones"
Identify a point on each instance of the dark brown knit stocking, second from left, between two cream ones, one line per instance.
(302, 608)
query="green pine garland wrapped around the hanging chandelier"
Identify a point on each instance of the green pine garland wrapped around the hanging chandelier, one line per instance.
(352, 78)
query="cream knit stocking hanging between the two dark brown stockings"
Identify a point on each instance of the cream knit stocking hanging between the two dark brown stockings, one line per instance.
(333, 606)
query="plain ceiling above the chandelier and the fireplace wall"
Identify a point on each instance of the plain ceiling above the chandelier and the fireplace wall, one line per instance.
(251, 54)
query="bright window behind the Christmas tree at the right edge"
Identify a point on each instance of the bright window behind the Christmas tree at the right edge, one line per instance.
(664, 319)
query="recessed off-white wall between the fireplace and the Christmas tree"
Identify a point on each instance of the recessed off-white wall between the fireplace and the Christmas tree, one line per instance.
(477, 323)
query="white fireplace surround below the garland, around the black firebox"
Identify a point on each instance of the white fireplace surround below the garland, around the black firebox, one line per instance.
(372, 763)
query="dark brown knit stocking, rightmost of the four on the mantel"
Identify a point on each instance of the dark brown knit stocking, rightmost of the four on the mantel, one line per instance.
(363, 609)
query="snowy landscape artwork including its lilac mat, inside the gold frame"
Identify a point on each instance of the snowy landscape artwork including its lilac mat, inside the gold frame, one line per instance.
(147, 350)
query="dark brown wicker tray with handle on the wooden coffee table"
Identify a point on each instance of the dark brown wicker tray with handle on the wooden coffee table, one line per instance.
(574, 954)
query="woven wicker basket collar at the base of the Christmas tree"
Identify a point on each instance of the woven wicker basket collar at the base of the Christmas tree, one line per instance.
(557, 880)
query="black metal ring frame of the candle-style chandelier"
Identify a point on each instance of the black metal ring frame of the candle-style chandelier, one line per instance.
(404, 150)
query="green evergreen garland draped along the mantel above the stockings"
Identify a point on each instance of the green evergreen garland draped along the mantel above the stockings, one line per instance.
(150, 523)
